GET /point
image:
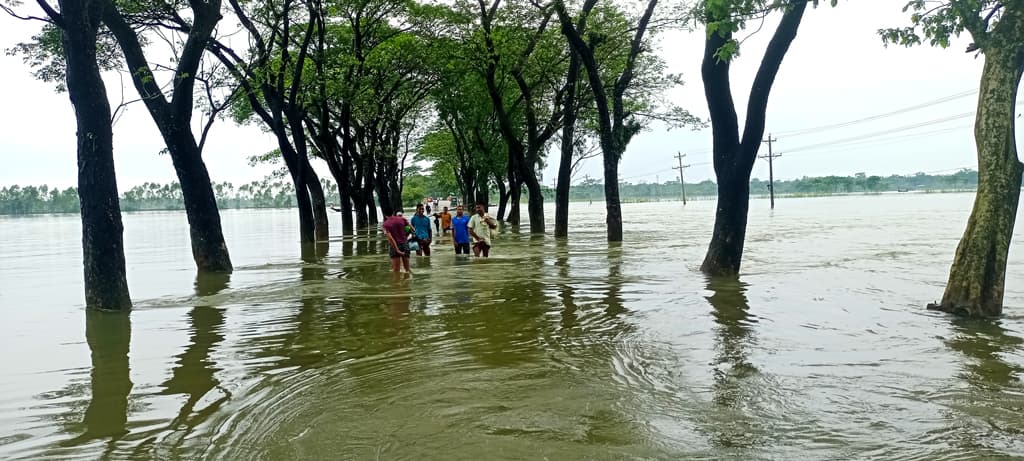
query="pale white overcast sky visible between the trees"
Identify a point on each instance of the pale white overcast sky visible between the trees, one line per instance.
(837, 71)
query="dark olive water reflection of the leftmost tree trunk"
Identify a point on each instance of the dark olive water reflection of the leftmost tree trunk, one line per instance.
(109, 336)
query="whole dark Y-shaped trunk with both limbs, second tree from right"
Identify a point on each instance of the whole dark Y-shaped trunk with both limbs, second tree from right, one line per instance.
(735, 156)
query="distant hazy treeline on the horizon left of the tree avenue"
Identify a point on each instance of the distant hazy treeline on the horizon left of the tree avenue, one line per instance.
(270, 193)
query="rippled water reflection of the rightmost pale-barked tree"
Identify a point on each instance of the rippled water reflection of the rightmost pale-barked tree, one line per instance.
(987, 415)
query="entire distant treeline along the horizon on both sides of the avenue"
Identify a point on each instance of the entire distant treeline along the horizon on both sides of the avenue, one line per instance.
(279, 193)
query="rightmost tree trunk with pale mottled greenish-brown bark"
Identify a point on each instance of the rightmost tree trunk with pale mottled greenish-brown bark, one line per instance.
(977, 279)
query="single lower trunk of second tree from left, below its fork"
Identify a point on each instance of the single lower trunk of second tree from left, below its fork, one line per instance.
(209, 248)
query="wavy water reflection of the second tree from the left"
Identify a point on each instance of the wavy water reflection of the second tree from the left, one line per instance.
(195, 372)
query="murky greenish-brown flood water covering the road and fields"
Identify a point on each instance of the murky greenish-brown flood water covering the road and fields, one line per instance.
(561, 351)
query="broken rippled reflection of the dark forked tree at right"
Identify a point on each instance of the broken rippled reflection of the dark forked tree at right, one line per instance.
(732, 368)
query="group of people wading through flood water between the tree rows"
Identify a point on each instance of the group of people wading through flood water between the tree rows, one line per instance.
(416, 235)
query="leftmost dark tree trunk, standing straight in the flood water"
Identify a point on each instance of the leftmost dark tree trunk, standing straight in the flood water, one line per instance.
(103, 233)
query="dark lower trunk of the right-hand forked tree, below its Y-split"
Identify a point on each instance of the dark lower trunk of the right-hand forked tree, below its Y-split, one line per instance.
(727, 249)
